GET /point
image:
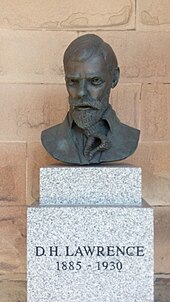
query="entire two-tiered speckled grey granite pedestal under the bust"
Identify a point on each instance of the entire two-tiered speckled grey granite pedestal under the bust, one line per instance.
(94, 250)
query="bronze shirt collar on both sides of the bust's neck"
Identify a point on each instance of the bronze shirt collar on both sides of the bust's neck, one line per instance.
(109, 116)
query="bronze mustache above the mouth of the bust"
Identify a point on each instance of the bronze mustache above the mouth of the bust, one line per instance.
(86, 102)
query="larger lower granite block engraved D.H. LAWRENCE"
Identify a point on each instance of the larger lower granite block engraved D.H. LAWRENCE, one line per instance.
(90, 254)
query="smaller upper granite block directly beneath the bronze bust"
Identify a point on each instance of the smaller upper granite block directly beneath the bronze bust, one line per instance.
(103, 184)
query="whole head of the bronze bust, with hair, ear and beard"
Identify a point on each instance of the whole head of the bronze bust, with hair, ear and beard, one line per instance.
(91, 70)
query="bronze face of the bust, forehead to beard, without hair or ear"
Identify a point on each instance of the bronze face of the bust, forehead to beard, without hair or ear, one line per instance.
(88, 84)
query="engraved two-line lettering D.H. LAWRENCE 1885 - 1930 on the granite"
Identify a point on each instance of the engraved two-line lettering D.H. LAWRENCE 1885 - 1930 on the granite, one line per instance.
(98, 257)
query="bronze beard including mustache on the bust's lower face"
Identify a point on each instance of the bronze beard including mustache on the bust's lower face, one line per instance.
(86, 111)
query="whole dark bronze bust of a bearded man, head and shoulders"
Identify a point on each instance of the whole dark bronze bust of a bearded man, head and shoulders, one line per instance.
(91, 132)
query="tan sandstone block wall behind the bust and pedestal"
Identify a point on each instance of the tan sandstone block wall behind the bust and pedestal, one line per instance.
(33, 37)
